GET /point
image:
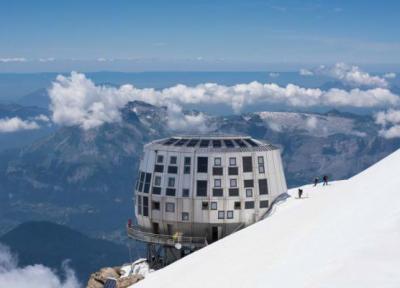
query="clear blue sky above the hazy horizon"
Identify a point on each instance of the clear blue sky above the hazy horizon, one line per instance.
(146, 35)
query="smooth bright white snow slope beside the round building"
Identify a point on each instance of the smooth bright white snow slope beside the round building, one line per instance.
(343, 235)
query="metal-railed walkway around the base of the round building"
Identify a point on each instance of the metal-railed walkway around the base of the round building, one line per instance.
(144, 236)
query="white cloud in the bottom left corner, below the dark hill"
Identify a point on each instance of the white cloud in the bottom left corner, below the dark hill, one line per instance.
(32, 276)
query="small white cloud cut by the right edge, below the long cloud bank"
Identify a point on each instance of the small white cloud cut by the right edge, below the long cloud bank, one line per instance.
(390, 122)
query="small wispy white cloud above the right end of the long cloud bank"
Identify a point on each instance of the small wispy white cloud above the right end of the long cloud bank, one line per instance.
(352, 75)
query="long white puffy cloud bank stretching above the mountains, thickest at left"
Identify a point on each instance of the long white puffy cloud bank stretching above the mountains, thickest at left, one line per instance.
(76, 100)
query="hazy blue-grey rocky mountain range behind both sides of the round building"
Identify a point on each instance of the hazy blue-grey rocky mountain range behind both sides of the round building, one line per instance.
(85, 178)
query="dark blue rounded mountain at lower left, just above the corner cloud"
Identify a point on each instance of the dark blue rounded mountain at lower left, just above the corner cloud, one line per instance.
(50, 244)
